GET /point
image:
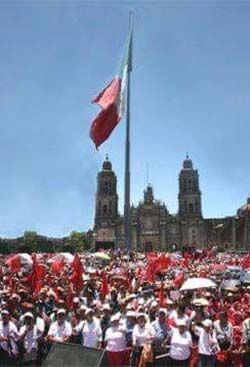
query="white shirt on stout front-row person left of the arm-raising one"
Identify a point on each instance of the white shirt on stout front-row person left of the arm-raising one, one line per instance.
(180, 345)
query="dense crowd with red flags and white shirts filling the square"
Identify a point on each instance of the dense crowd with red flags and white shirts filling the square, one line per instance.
(133, 305)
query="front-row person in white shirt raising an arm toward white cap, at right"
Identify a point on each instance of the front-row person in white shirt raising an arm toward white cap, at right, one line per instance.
(207, 344)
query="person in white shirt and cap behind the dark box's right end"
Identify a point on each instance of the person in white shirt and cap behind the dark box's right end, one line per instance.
(91, 330)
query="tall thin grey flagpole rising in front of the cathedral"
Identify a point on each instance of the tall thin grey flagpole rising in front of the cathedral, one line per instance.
(127, 218)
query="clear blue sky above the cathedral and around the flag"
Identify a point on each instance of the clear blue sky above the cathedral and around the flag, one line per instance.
(190, 93)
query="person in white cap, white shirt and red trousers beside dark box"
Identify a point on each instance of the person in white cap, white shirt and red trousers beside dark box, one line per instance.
(115, 342)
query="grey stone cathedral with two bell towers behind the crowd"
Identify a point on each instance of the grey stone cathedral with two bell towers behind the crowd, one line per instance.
(153, 228)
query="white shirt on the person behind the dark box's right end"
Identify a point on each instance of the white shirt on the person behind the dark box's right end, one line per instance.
(92, 333)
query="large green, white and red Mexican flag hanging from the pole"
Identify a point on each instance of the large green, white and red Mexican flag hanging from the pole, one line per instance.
(112, 100)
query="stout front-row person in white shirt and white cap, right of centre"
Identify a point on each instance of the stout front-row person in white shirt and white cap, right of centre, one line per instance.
(180, 345)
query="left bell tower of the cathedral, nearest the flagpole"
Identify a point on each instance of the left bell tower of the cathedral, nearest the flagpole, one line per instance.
(106, 209)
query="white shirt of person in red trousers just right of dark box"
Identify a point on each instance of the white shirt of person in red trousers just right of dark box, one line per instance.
(116, 339)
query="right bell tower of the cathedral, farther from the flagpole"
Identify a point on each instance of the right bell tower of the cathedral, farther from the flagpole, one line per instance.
(189, 191)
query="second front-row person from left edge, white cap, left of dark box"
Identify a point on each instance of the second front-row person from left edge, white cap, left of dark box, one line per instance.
(30, 334)
